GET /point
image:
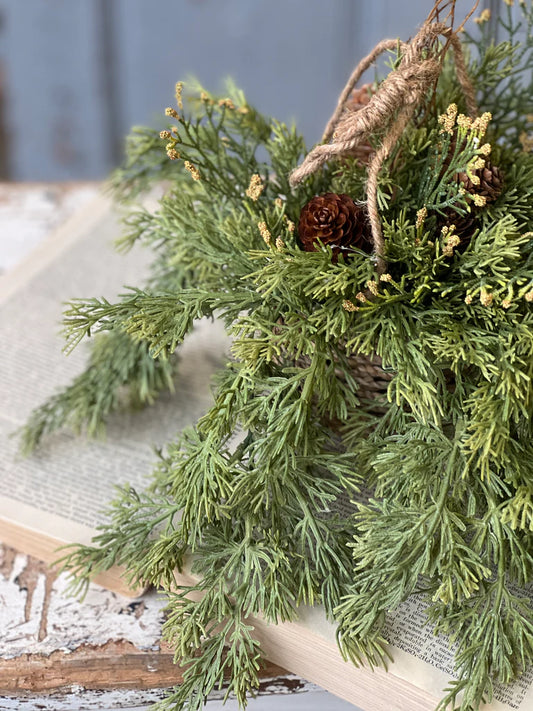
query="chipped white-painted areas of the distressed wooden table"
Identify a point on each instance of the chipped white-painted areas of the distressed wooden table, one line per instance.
(37, 617)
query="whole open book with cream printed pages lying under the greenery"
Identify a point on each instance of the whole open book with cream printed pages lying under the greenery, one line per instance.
(56, 496)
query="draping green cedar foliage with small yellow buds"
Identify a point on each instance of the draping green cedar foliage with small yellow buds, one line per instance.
(447, 451)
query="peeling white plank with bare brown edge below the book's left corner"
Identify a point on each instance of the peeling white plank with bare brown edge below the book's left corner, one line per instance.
(37, 616)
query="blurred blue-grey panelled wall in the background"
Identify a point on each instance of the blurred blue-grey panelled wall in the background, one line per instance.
(75, 75)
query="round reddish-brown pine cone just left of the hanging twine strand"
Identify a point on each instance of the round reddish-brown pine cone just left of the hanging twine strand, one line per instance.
(336, 221)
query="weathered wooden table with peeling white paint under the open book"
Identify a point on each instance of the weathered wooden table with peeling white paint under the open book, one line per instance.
(57, 653)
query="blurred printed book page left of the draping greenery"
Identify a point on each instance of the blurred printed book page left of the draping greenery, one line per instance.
(71, 479)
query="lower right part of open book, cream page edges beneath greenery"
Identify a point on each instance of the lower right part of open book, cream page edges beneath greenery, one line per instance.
(422, 667)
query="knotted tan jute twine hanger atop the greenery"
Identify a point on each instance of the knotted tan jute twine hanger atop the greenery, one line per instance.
(392, 106)
